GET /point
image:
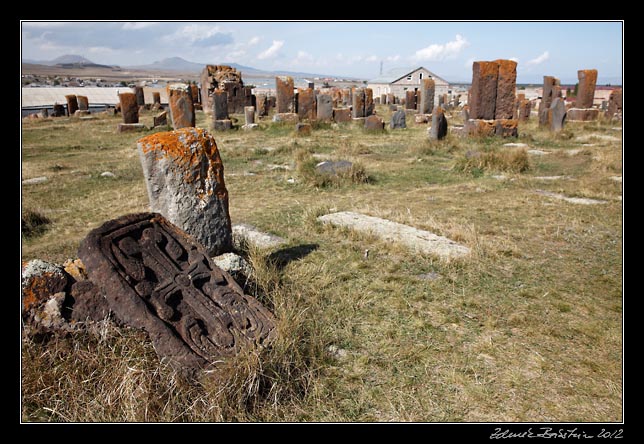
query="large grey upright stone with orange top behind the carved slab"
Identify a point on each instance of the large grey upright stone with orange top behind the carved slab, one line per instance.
(184, 176)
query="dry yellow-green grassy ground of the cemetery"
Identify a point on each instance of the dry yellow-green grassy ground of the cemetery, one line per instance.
(528, 327)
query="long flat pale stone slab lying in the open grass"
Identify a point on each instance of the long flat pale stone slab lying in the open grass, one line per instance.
(417, 240)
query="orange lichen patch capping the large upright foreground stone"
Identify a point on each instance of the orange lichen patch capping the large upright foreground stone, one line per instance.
(188, 148)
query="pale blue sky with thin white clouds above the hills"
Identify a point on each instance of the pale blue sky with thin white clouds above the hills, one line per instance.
(352, 49)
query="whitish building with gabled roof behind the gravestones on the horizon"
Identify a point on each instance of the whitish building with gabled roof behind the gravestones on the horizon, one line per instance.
(399, 80)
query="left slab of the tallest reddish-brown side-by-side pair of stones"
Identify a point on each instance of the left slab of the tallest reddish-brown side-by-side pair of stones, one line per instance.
(485, 77)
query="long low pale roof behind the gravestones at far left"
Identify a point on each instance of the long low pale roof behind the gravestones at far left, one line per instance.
(39, 97)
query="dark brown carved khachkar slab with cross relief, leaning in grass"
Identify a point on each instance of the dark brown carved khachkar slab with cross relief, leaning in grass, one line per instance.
(156, 277)
